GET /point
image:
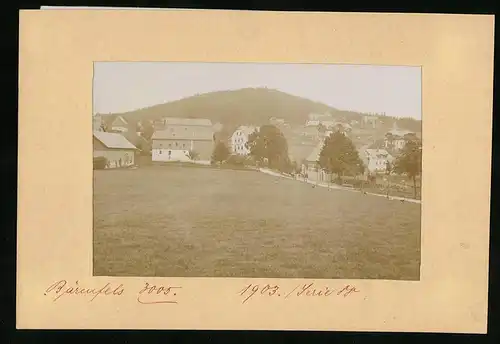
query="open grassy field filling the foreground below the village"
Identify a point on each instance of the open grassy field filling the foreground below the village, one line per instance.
(176, 221)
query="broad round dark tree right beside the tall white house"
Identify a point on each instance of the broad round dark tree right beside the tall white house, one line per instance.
(268, 144)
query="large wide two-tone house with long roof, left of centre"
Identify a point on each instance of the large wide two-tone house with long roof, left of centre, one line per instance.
(181, 136)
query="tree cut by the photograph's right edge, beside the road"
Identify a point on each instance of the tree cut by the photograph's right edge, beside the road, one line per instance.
(409, 162)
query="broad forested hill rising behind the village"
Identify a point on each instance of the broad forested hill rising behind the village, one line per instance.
(244, 106)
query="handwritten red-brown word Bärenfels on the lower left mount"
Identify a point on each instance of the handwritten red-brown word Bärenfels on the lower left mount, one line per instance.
(63, 288)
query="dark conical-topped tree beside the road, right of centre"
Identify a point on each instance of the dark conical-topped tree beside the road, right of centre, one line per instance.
(339, 156)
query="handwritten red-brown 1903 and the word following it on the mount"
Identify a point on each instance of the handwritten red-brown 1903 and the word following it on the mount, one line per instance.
(300, 290)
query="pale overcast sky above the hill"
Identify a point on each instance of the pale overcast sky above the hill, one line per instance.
(126, 86)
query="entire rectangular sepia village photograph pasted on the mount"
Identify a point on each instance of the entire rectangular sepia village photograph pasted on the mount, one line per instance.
(257, 170)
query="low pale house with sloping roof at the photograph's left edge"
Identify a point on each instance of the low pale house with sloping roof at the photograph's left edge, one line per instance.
(117, 150)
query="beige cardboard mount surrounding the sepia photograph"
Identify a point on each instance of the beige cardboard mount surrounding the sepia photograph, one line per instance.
(57, 51)
